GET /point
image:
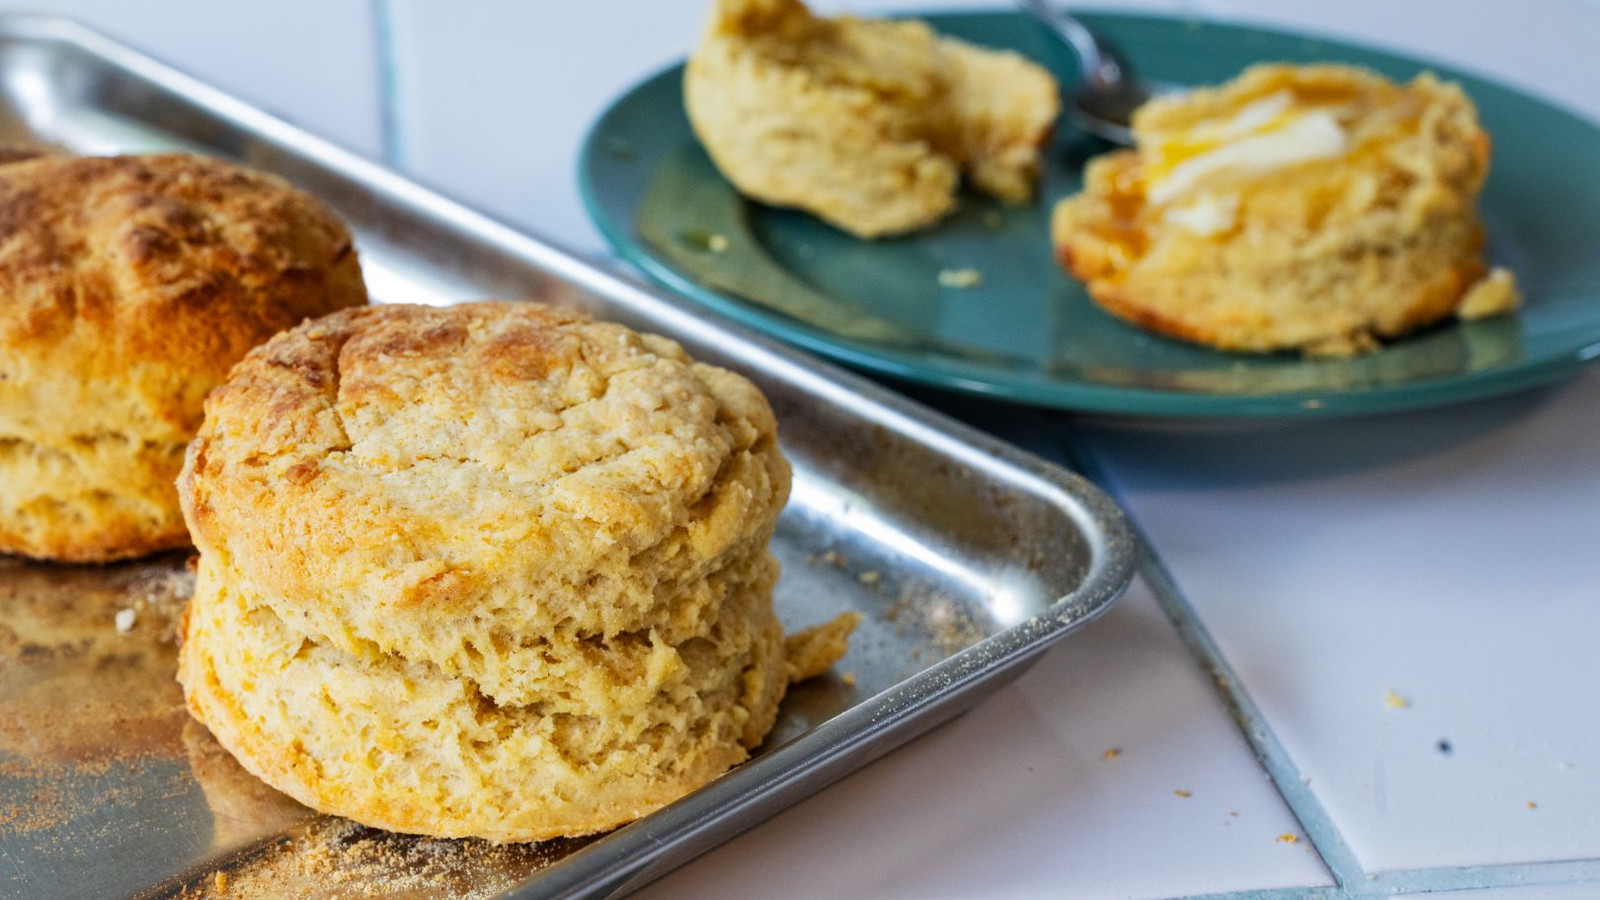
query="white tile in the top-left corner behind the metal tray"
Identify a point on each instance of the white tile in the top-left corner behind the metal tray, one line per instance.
(308, 62)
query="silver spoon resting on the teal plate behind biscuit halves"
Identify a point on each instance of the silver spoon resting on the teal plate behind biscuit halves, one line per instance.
(1110, 92)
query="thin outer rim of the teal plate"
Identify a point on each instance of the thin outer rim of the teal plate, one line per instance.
(1079, 396)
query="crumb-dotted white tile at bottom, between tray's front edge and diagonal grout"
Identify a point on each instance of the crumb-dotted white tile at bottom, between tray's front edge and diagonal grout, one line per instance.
(1017, 800)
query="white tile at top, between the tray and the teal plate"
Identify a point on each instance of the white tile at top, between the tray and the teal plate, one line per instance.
(514, 89)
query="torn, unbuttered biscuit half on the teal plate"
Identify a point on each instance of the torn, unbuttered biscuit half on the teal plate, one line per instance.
(868, 124)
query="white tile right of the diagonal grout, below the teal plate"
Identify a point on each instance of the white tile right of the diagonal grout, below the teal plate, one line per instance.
(1447, 556)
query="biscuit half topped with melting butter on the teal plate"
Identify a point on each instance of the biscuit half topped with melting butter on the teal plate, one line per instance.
(1314, 209)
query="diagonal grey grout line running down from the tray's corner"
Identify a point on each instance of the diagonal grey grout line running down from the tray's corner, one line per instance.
(1303, 805)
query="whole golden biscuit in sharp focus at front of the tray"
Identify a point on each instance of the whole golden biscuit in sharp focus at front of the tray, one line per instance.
(486, 571)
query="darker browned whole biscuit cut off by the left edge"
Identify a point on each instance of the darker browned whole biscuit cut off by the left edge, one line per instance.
(132, 286)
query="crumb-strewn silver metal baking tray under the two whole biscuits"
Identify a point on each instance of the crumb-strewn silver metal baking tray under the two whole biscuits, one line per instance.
(967, 556)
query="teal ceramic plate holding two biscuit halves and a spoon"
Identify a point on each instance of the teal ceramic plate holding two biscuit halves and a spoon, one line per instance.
(1030, 332)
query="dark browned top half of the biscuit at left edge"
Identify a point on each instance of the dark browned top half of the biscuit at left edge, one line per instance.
(156, 275)
